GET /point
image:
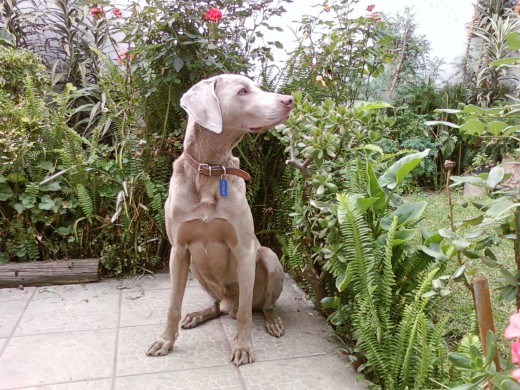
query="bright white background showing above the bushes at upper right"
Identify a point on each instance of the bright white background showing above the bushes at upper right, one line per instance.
(442, 22)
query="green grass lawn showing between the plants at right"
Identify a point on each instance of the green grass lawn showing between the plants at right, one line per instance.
(458, 305)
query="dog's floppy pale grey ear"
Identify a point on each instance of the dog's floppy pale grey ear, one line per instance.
(201, 103)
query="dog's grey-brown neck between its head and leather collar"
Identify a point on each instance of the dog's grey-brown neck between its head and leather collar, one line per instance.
(208, 147)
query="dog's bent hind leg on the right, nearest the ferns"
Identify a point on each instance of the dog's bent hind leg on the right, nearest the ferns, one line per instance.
(273, 288)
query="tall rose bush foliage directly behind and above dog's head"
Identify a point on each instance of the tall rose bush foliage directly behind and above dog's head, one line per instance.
(174, 47)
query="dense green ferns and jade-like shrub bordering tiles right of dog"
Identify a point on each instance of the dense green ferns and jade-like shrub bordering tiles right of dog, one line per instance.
(354, 240)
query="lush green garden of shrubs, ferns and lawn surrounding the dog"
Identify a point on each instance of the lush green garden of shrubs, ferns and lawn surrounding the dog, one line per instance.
(362, 192)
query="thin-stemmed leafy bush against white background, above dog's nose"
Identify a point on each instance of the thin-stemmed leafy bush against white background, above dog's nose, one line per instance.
(338, 55)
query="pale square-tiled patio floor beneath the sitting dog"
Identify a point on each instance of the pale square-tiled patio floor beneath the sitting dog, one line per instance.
(93, 336)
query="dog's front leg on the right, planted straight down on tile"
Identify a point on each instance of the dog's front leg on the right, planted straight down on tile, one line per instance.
(243, 347)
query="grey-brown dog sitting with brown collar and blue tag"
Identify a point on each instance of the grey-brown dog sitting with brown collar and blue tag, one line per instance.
(208, 220)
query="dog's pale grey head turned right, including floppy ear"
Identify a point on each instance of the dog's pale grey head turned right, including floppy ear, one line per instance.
(236, 103)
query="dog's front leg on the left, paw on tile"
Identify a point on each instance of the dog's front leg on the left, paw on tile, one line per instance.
(179, 267)
